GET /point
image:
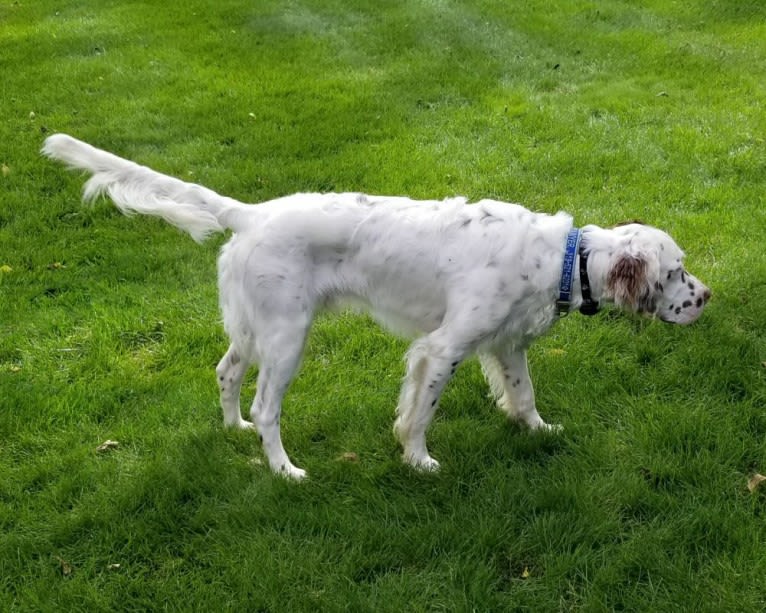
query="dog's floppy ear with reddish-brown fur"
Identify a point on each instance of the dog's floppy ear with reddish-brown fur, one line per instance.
(632, 278)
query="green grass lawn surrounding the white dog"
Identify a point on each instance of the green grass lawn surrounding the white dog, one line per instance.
(109, 326)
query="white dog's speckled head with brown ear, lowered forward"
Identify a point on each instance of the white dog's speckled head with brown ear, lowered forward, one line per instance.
(646, 275)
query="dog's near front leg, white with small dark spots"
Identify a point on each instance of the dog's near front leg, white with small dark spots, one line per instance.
(430, 365)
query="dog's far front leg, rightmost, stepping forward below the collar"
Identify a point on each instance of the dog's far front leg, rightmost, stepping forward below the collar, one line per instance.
(507, 372)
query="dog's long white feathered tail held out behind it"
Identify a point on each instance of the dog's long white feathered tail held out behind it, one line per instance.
(138, 189)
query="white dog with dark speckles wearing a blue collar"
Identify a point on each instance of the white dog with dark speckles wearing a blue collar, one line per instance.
(486, 278)
